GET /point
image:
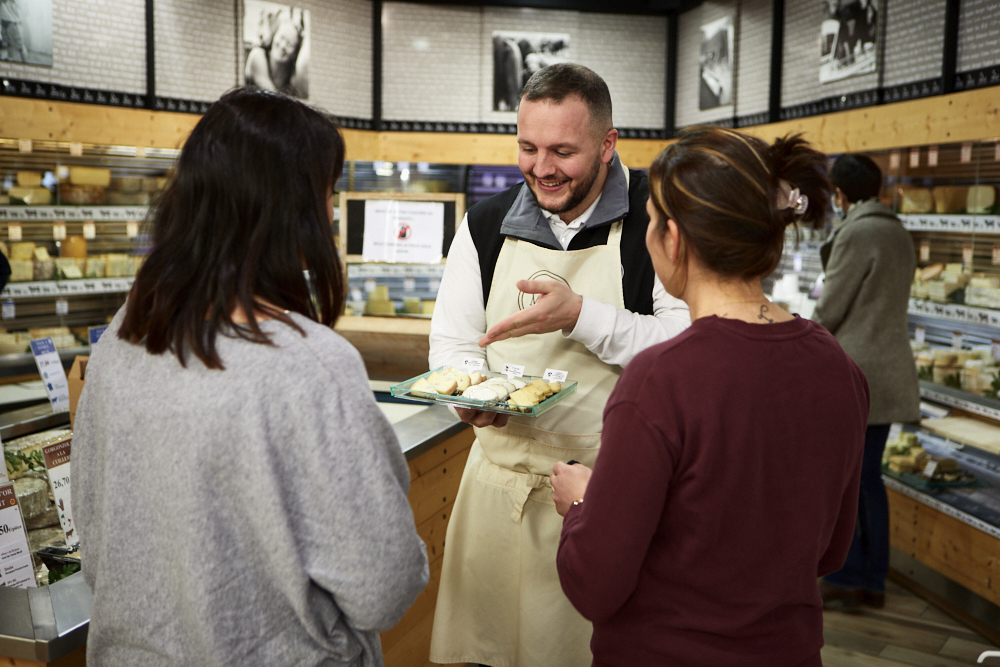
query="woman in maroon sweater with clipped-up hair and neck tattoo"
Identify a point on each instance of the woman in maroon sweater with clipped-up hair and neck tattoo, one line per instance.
(727, 480)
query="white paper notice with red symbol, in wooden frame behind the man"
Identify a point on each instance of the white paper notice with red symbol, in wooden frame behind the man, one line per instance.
(403, 231)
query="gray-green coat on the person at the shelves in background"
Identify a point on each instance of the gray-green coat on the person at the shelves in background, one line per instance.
(869, 264)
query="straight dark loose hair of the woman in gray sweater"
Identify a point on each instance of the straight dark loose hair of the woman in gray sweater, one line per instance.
(245, 214)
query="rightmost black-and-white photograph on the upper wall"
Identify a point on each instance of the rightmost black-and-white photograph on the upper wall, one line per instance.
(849, 39)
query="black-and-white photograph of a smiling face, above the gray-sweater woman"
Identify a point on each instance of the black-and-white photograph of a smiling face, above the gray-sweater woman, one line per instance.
(276, 45)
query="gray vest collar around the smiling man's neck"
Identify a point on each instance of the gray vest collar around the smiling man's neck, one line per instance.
(525, 221)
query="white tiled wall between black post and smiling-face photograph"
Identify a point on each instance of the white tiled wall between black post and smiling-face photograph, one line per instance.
(195, 48)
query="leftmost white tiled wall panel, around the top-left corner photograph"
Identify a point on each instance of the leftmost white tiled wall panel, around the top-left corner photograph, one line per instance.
(95, 44)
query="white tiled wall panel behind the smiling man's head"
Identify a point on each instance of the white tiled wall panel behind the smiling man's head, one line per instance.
(438, 60)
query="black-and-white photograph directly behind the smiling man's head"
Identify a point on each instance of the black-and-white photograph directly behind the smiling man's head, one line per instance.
(518, 55)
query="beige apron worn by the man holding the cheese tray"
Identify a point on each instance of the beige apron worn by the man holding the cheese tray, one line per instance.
(500, 602)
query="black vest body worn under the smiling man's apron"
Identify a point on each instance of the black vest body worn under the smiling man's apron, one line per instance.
(638, 275)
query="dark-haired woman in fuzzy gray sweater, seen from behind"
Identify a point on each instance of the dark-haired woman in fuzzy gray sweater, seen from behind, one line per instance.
(240, 497)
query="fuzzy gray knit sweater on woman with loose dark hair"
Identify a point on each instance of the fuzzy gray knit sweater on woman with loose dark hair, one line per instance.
(251, 516)
